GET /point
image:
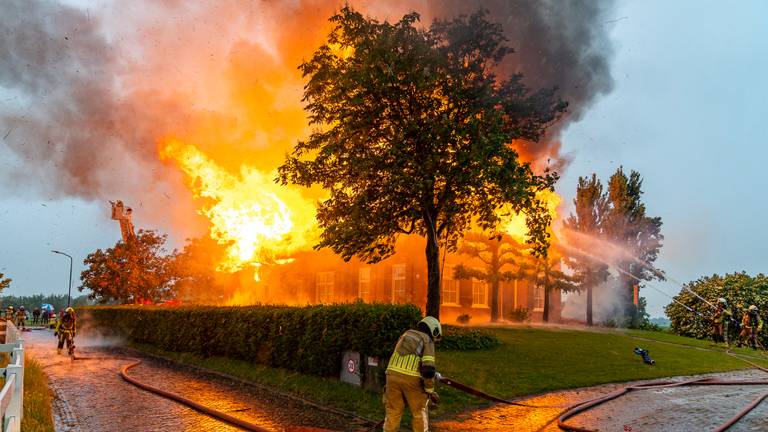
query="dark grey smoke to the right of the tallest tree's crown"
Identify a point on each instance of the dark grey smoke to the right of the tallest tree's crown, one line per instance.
(557, 43)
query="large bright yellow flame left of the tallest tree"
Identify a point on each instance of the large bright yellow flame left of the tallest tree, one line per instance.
(257, 220)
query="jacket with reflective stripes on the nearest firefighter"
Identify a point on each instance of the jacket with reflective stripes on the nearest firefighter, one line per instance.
(415, 356)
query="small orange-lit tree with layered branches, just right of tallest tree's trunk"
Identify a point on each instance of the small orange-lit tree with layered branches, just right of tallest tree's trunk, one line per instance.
(497, 254)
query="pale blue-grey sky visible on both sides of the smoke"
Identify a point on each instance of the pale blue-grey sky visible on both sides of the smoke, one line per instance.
(686, 111)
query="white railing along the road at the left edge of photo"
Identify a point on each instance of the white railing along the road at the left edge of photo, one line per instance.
(12, 394)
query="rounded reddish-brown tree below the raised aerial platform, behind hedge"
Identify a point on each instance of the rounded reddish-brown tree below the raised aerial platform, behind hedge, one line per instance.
(130, 273)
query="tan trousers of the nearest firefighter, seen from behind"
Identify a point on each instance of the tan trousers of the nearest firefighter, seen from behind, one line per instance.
(402, 389)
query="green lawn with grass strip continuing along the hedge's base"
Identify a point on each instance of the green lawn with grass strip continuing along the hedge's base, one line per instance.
(530, 360)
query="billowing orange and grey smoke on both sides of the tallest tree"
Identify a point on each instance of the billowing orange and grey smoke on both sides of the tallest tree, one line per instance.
(87, 94)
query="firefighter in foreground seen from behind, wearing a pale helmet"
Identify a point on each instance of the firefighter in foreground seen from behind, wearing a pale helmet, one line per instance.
(411, 376)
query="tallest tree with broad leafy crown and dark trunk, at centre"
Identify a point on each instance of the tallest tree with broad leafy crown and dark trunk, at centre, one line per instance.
(413, 135)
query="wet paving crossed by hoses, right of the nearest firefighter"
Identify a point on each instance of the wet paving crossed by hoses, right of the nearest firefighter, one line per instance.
(676, 409)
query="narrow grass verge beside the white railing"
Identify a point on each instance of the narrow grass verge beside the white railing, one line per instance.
(37, 399)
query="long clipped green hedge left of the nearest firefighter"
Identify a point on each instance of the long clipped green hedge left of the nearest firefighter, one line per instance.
(307, 339)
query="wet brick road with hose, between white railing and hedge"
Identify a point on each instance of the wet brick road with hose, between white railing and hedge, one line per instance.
(90, 395)
